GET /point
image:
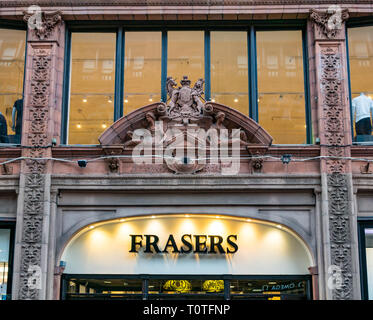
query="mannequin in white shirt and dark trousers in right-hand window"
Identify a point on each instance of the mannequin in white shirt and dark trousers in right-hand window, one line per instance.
(361, 112)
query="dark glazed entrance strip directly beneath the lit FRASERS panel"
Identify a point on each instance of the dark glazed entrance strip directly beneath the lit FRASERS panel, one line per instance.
(181, 287)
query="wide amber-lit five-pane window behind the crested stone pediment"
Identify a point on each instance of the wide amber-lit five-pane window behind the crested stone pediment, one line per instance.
(115, 74)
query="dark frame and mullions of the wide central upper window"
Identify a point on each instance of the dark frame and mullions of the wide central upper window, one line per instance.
(120, 27)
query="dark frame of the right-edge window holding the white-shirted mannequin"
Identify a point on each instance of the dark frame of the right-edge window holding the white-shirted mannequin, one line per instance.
(354, 23)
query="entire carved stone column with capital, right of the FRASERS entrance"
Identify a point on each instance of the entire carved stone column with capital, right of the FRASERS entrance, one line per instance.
(340, 254)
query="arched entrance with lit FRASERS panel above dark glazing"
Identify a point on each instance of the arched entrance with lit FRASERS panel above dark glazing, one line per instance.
(186, 256)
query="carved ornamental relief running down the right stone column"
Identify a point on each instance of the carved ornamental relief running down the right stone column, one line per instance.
(334, 137)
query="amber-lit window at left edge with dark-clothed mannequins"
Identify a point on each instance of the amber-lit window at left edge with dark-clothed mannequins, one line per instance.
(12, 61)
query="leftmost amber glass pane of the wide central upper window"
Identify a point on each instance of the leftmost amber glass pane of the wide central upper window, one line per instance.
(92, 86)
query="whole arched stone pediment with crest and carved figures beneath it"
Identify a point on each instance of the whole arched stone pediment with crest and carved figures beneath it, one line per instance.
(185, 122)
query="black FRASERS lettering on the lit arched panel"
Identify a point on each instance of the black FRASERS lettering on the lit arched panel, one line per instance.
(199, 244)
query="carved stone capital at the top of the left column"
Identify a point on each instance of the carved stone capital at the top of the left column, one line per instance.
(48, 22)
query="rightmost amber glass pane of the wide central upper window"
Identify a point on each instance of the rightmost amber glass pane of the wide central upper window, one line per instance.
(281, 100)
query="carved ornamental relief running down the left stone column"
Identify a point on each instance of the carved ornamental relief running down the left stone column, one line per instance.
(37, 107)
